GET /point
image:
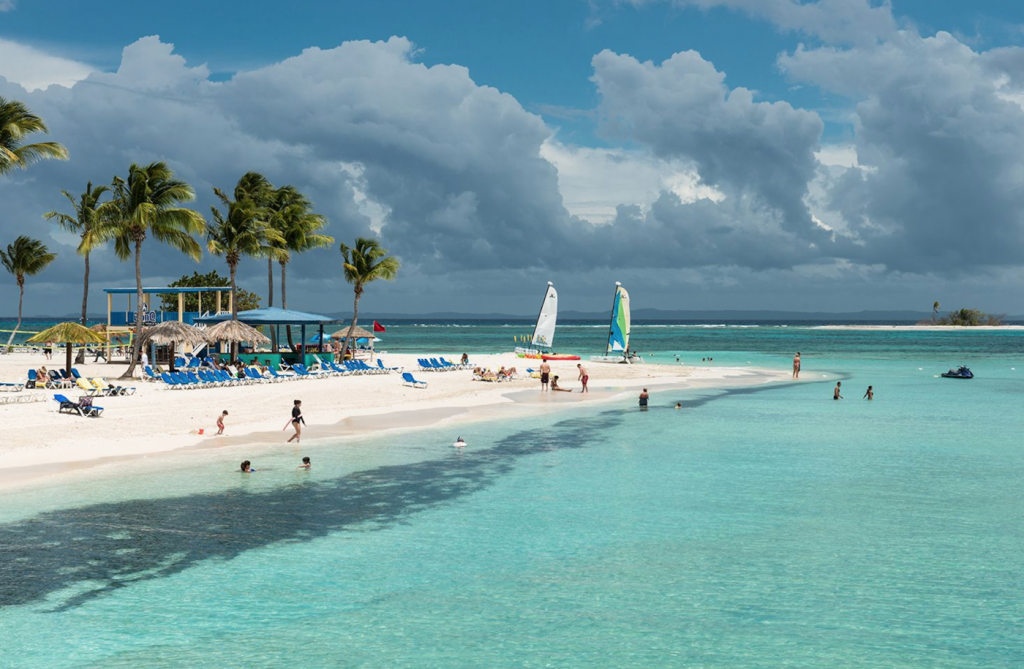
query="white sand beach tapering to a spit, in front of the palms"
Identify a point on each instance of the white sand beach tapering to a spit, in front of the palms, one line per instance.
(39, 442)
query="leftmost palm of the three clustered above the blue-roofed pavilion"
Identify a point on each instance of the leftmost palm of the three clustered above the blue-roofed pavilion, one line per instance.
(241, 232)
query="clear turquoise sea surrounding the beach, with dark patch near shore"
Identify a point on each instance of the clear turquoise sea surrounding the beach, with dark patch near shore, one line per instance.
(766, 527)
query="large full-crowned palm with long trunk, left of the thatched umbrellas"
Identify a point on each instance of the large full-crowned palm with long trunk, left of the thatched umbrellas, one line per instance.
(147, 203)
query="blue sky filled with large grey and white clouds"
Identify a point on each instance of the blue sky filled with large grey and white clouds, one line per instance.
(817, 155)
